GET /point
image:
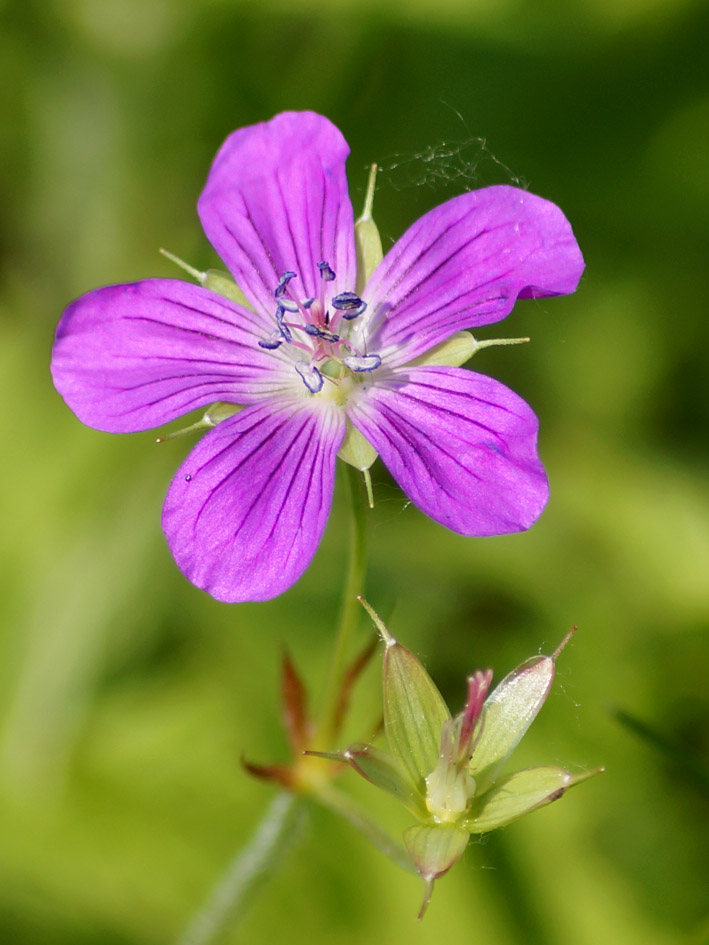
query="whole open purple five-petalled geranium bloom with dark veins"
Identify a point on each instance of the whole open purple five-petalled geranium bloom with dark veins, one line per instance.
(312, 356)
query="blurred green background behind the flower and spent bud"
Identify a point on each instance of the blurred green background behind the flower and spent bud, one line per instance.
(127, 697)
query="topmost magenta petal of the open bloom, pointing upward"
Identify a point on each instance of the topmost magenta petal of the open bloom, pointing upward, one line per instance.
(276, 201)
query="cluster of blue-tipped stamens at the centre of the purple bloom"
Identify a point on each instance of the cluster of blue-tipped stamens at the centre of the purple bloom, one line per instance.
(317, 335)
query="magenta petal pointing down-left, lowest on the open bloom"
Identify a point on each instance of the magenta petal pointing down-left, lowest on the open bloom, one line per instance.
(246, 511)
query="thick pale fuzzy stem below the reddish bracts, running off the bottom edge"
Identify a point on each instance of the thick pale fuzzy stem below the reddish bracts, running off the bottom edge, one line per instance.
(260, 858)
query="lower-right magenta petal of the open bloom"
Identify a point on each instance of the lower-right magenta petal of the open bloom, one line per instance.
(462, 446)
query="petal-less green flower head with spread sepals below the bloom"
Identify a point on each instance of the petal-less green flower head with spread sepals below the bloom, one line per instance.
(446, 770)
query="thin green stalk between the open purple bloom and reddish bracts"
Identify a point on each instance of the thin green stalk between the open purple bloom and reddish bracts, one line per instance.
(349, 613)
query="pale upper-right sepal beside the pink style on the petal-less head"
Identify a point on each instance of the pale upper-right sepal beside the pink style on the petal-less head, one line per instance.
(508, 713)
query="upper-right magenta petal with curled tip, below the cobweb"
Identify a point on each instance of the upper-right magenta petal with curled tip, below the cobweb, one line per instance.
(464, 264)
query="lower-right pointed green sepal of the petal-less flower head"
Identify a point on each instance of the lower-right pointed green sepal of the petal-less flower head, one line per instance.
(519, 794)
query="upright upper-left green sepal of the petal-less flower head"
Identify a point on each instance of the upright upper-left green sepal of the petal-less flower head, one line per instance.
(414, 713)
